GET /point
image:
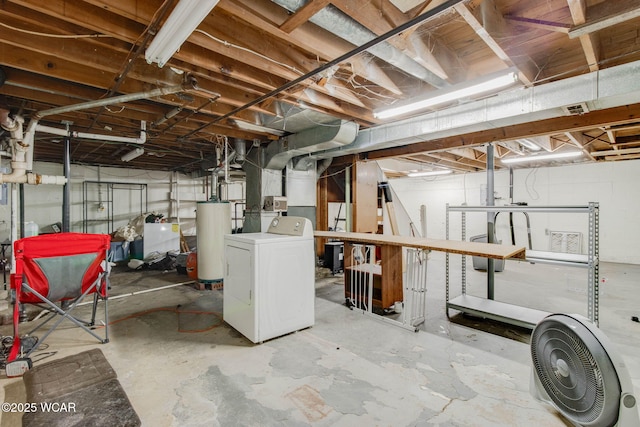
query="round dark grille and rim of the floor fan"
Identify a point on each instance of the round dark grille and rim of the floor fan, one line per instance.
(575, 371)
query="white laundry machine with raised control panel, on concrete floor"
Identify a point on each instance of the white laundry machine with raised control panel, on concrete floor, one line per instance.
(269, 281)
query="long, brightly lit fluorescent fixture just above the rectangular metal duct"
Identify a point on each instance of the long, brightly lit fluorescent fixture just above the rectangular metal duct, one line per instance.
(452, 94)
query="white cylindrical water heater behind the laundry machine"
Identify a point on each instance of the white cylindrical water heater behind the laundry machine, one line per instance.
(213, 221)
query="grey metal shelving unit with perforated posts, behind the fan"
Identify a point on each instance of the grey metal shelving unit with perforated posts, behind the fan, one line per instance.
(514, 314)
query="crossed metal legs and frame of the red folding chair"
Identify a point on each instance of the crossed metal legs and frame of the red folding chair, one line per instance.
(98, 287)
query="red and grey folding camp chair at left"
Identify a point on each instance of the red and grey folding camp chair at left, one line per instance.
(59, 268)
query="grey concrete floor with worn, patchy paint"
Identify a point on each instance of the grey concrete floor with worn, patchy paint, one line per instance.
(181, 365)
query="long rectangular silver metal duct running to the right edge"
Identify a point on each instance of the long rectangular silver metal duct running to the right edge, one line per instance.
(603, 89)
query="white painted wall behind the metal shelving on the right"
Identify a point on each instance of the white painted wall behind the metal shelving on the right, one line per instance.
(614, 185)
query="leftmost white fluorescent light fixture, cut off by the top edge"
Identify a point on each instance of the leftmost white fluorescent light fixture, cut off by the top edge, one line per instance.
(185, 18)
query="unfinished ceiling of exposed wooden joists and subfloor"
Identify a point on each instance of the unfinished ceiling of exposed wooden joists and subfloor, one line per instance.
(246, 53)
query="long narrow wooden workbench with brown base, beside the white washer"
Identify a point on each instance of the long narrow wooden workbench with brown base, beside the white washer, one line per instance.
(388, 282)
